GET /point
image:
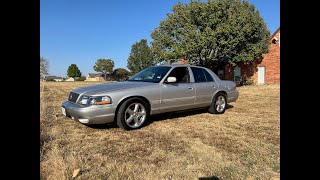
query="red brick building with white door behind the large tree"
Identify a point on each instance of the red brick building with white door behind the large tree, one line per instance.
(265, 70)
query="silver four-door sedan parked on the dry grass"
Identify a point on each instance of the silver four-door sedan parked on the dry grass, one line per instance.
(154, 90)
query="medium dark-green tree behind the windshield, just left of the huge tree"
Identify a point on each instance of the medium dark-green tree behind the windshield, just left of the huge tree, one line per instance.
(140, 56)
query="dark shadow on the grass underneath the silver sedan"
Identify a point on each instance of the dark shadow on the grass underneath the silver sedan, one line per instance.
(157, 117)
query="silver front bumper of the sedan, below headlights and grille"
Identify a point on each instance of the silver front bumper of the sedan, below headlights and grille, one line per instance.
(96, 114)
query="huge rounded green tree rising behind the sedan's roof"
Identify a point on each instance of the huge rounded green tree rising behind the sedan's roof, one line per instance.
(211, 32)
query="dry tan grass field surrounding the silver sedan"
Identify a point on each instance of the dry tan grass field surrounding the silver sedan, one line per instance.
(242, 143)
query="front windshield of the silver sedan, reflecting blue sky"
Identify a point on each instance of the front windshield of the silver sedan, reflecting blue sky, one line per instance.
(151, 74)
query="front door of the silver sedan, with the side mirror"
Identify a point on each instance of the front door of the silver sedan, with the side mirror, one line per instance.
(179, 95)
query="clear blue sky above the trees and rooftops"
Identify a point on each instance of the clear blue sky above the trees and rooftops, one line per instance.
(82, 31)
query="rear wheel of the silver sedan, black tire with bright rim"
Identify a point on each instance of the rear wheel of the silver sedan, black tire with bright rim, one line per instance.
(213, 109)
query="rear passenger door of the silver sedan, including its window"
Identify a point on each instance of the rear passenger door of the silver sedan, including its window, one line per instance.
(205, 87)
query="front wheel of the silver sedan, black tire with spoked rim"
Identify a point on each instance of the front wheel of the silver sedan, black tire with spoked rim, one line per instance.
(122, 115)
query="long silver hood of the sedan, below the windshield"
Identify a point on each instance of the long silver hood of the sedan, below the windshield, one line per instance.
(108, 87)
